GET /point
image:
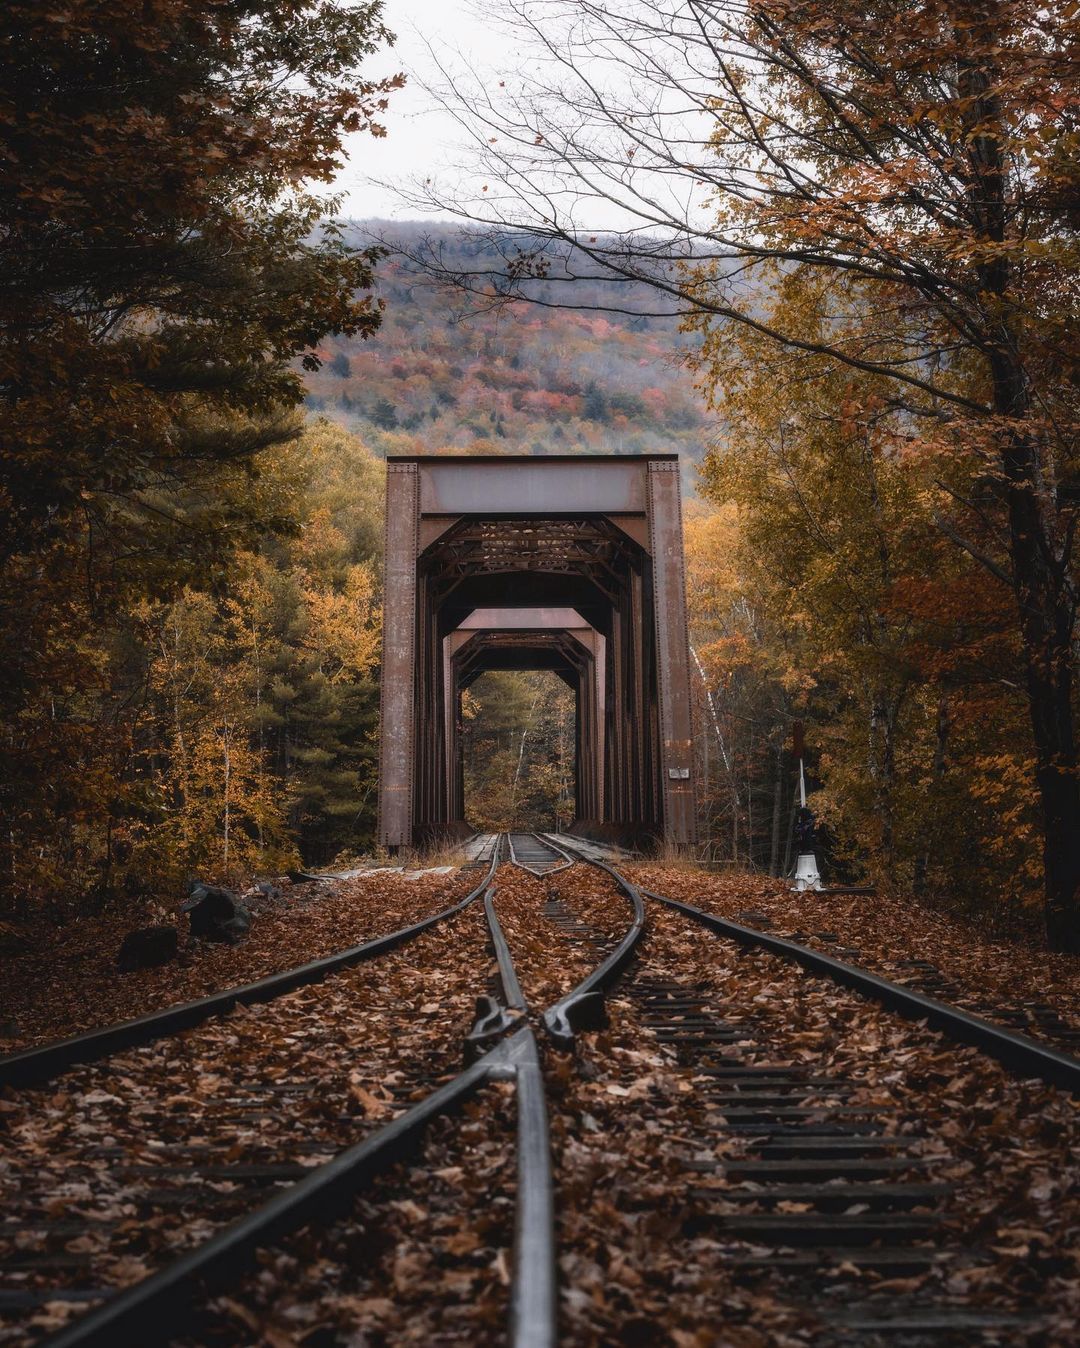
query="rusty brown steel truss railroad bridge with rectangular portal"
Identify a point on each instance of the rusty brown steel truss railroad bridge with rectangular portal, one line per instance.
(571, 564)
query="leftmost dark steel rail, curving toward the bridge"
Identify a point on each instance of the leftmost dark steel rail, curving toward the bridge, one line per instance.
(32, 1067)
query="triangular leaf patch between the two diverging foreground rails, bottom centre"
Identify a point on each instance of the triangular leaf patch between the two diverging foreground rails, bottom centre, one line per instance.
(424, 1257)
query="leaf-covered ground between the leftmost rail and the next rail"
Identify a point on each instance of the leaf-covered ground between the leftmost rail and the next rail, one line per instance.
(107, 1151)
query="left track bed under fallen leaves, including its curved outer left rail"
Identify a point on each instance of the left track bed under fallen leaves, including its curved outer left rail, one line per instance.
(138, 1137)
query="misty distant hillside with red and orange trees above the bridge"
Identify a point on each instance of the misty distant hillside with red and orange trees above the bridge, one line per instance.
(454, 375)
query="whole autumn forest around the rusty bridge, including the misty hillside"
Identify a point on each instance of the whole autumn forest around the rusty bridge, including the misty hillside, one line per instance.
(204, 373)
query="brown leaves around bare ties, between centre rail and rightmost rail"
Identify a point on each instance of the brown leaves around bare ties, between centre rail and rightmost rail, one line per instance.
(637, 1268)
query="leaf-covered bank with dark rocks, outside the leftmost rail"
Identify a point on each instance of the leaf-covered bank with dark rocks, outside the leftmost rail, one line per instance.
(63, 982)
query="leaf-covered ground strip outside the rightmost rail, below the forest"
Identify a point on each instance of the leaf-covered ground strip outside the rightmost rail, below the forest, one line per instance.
(887, 935)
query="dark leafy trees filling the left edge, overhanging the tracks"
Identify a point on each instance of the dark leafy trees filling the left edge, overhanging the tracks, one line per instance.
(164, 276)
